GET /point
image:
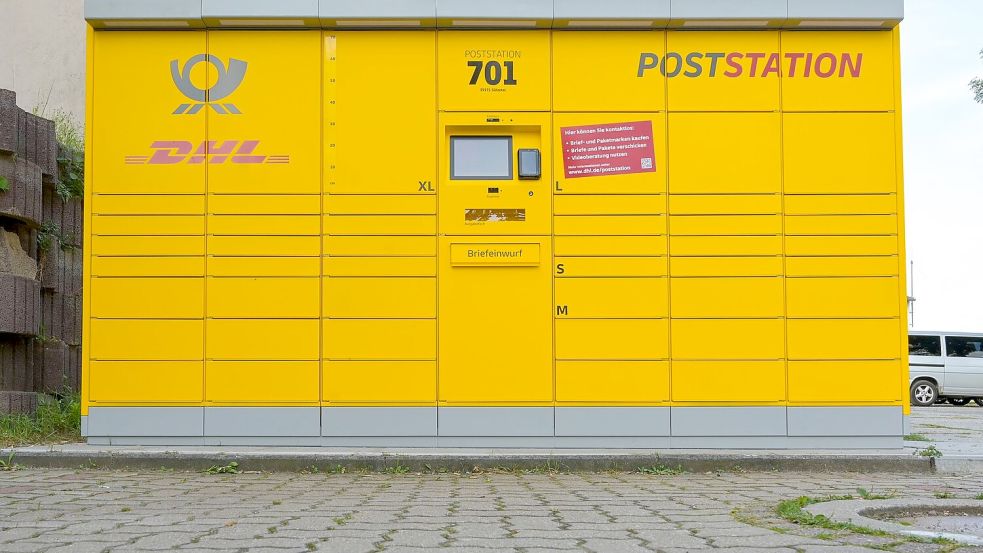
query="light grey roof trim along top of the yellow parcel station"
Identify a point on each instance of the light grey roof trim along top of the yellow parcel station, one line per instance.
(717, 14)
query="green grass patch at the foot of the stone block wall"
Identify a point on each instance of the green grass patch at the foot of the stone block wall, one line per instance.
(56, 420)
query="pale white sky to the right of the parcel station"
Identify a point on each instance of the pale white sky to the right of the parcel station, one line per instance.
(943, 135)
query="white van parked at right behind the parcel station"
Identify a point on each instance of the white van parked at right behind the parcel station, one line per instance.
(945, 366)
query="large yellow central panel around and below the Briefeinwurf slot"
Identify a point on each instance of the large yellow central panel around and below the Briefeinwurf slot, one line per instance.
(507, 308)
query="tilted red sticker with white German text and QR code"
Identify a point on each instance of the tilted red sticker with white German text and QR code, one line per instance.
(608, 149)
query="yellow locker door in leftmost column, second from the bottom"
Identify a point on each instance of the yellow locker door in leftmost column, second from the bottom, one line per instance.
(146, 340)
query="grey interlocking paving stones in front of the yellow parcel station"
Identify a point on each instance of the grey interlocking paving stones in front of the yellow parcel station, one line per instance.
(97, 510)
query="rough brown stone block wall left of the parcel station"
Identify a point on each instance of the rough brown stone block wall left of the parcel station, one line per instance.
(40, 264)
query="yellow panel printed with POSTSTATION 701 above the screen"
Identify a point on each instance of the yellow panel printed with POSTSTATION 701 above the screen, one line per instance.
(493, 70)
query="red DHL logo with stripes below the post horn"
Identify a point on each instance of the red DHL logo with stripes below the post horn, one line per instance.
(172, 152)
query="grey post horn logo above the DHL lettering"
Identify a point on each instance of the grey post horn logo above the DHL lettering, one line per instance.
(227, 81)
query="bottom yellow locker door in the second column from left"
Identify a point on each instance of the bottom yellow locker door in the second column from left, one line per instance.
(275, 382)
